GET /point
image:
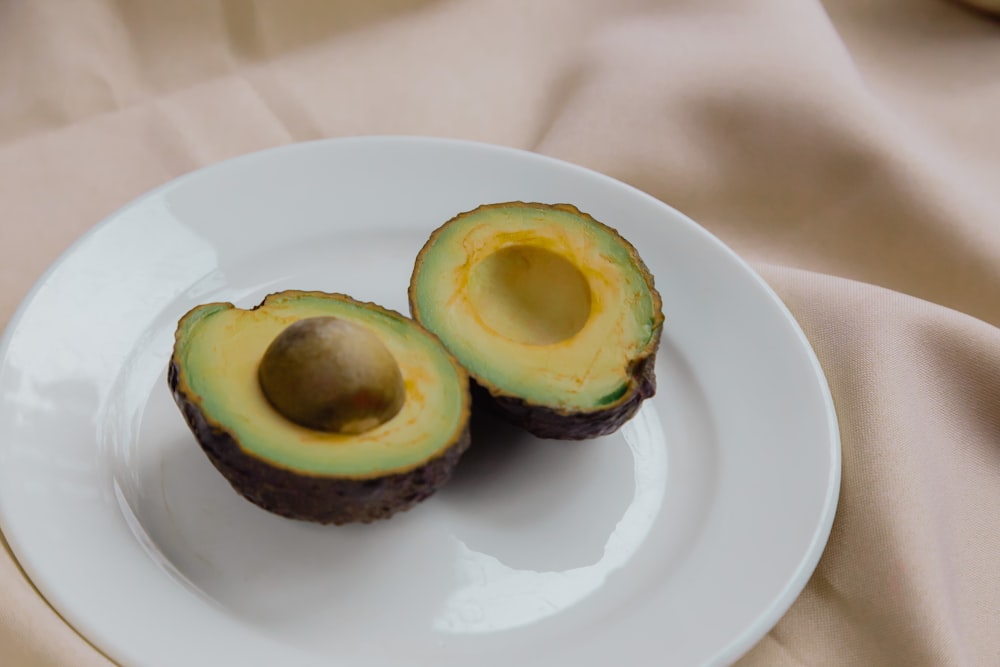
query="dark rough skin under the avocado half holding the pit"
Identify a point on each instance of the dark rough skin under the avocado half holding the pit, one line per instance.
(325, 500)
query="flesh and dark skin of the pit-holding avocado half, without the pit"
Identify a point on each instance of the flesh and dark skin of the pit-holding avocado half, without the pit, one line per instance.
(298, 471)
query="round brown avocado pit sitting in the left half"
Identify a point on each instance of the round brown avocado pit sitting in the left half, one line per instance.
(329, 374)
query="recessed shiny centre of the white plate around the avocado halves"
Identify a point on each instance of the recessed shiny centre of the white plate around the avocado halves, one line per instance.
(527, 533)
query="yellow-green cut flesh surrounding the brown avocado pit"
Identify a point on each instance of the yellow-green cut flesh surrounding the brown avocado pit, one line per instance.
(220, 348)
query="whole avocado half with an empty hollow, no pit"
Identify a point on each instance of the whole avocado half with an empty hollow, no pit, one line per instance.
(553, 314)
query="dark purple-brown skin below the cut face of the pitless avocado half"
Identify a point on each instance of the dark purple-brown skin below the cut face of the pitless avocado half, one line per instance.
(545, 422)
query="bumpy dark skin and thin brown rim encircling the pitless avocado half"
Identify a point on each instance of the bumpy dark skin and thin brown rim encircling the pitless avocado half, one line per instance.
(543, 421)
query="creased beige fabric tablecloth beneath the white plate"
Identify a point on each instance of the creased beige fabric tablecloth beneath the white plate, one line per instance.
(850, 149)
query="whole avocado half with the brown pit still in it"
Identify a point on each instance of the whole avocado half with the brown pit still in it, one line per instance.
(398, 452)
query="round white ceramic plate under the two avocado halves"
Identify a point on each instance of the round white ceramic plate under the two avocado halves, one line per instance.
(681, 540)
